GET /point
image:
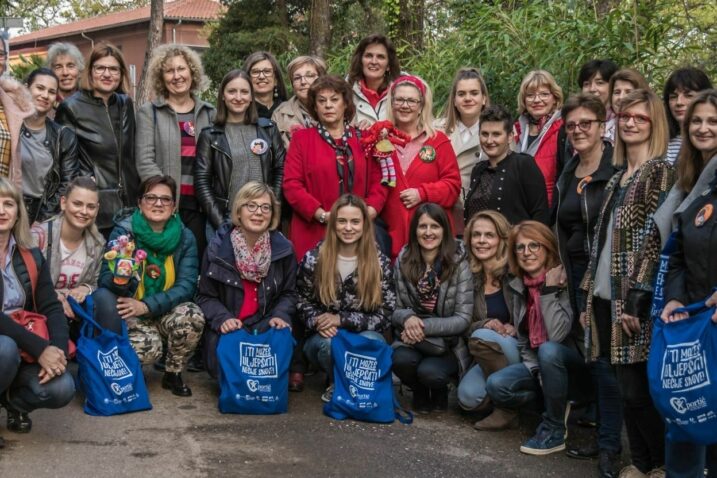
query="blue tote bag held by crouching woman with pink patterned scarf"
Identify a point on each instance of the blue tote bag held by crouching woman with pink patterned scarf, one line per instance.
(254, 371)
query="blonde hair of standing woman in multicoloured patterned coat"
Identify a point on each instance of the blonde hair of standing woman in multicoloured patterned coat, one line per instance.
(659, 132)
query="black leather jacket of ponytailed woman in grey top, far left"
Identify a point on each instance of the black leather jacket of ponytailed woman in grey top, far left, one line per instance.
(62, 144)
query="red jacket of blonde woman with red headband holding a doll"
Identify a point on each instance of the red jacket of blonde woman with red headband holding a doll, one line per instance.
(438, 181)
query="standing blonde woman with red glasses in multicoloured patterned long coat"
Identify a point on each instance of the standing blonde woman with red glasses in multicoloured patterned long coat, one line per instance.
(623, 260)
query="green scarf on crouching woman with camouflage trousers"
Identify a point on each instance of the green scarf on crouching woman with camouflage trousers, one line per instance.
(158, 246)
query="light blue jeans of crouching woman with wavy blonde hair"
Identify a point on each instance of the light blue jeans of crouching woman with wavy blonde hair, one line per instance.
(472, 389)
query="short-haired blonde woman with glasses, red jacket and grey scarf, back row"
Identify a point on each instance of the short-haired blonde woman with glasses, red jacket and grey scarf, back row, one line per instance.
(538, 131)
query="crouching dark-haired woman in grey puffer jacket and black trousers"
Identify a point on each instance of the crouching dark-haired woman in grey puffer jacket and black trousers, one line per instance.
(434, 304)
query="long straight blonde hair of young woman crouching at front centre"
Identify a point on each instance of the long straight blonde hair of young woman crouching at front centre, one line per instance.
(368, 272)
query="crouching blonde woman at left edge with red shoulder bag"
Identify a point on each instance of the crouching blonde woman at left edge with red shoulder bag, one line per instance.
(27, 286)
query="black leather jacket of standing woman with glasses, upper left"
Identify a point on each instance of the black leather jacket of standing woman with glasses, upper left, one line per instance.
(105, 134)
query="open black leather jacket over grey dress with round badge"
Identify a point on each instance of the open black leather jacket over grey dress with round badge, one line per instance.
(213, 168)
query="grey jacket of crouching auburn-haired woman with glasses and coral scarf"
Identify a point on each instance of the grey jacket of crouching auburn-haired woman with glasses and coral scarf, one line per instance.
(557, 314)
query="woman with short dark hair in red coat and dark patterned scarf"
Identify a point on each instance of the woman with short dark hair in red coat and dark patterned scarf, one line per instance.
(325, 162)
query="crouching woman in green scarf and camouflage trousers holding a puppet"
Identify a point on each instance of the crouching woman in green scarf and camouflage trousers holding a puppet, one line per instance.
(156, 301)
